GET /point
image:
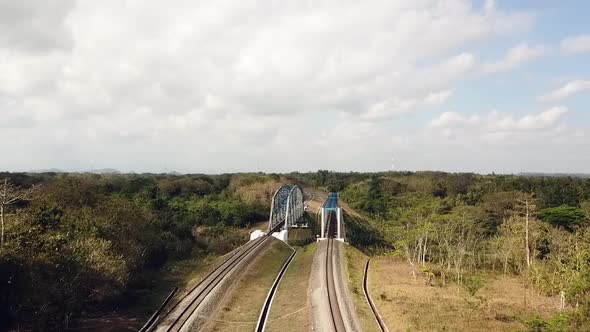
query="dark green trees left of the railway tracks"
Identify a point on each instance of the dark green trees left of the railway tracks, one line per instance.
(80, 242)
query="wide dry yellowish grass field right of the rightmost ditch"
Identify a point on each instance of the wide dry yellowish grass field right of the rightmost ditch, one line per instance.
(487, 303)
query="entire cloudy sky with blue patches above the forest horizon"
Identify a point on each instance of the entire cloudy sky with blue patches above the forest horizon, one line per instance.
(277, 86)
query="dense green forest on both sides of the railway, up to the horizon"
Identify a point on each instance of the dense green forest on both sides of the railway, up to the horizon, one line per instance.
(76, 243)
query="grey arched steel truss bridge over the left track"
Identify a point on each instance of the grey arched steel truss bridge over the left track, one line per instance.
(286, 207)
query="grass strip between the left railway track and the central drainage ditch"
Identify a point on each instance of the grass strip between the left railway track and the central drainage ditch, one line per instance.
(242, 306)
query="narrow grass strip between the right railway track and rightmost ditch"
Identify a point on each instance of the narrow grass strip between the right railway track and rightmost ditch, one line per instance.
(355, 267)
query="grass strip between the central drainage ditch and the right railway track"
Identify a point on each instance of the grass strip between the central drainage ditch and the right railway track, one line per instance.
(290, 307)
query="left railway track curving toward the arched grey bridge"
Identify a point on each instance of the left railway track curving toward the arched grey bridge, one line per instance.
(178, 317)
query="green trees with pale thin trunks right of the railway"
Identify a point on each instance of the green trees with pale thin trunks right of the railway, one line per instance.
(451, 227)
